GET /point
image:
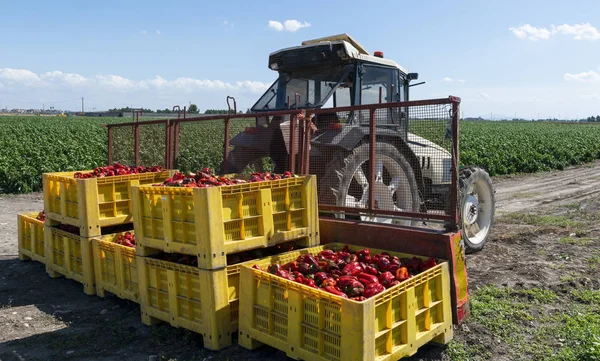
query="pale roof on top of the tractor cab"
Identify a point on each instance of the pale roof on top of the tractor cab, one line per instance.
(353, 50)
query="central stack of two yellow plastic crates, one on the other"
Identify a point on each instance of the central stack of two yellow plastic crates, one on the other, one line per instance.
(191, 243)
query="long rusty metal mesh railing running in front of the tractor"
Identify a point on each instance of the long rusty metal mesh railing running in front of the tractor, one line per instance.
(436, 121)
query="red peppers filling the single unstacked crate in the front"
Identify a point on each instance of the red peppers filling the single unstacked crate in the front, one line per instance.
(353, 275)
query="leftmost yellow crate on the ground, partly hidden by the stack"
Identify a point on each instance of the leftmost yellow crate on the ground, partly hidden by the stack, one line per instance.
(31, 237)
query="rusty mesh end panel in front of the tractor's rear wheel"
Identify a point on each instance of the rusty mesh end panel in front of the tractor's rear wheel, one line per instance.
(412, 171)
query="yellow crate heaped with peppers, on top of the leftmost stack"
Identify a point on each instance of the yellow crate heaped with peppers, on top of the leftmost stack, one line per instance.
(93, 203)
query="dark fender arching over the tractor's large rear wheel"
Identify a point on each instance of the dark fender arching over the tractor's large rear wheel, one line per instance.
(350, 137)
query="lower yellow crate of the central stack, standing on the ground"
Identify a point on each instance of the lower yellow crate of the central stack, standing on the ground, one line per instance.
(203, 301)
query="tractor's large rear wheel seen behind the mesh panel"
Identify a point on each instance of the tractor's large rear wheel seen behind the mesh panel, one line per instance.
(346, 182)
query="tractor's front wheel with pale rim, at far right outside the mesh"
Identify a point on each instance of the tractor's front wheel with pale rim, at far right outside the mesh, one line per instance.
(477, 207)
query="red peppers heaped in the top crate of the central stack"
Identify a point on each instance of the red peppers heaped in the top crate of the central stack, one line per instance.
(205, 178)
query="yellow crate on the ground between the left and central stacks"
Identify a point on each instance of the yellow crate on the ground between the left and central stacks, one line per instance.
(115, 268)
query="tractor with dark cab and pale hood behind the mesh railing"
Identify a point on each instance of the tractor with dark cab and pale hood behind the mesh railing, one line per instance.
(413, 174)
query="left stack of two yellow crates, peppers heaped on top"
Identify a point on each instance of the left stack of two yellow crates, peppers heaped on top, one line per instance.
(81, 206)
